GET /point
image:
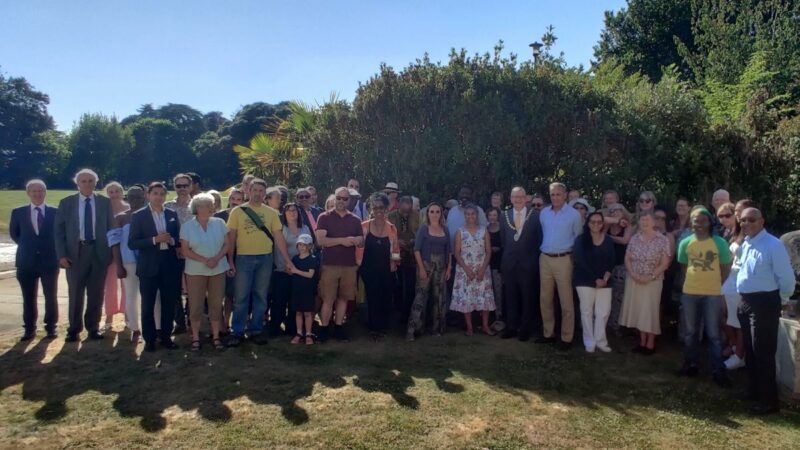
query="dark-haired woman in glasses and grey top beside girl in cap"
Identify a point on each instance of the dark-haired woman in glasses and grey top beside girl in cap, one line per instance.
(293, 227)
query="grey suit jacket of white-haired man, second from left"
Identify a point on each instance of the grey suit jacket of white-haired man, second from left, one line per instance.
(68, 228)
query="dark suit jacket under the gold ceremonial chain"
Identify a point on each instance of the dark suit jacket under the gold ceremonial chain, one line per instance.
(525, 251)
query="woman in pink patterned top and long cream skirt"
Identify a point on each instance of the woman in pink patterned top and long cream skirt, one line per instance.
(646, 259)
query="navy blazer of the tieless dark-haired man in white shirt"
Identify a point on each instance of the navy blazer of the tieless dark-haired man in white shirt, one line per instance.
(143, 230)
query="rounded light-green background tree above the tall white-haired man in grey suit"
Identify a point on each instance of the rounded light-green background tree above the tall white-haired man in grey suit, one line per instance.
(98, 141)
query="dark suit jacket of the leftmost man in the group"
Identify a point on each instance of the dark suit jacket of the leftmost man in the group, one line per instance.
(34, 252)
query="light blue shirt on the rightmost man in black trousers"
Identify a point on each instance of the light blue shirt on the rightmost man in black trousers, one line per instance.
(765, 266)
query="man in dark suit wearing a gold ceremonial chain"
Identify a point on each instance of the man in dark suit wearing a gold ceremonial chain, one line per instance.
(521, 235)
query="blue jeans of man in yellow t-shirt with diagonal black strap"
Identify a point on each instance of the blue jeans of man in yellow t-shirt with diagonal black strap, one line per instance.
(253, 273)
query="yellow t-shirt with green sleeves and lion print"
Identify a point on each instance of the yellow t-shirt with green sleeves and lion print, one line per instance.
(703, 260)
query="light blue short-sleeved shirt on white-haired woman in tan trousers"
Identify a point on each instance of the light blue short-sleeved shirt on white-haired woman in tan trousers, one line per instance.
(206, 243)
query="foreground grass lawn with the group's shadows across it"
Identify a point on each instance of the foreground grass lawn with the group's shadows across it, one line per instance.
(448, 392)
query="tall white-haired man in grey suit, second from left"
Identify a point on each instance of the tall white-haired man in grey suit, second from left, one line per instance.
(82, 221)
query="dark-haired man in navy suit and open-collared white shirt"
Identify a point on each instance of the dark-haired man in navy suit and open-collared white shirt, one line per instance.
(155, 234)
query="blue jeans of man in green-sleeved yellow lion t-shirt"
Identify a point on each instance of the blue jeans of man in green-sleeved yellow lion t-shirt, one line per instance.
(707, 308)
